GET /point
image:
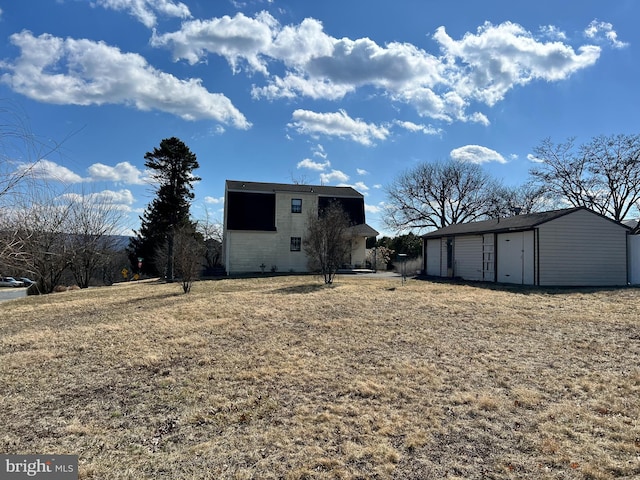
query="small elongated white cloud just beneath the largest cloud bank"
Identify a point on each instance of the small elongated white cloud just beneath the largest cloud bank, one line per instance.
(338, 124)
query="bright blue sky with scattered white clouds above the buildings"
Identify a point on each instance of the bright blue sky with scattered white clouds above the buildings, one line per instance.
(332, 92)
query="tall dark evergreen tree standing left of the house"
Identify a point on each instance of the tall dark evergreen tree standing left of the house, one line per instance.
(172, 166)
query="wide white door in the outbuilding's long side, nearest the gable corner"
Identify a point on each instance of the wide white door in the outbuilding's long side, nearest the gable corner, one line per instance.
(516, 258)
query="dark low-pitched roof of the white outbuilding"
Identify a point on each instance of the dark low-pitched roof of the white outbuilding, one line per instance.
(509, 224)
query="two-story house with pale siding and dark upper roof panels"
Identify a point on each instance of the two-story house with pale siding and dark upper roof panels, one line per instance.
(265, 224)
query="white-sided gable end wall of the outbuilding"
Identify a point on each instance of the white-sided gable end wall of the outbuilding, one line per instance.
(582, 249)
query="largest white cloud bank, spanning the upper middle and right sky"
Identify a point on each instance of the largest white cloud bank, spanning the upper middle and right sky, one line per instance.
(480, 67)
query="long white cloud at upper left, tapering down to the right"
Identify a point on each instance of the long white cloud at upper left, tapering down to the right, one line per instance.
(93, 73)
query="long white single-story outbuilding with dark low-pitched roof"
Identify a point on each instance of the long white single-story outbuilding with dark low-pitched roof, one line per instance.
(569, 247)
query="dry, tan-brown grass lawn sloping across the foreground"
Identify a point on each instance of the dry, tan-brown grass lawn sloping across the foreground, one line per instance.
(286, 378)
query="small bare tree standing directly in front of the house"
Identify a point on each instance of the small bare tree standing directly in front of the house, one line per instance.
(327, 243)
